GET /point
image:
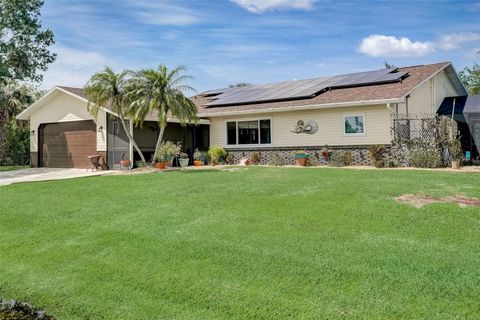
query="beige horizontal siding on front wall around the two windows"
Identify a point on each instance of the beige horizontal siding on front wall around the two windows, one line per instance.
(330, 127)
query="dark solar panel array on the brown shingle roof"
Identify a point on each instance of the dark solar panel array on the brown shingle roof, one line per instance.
(298, 89)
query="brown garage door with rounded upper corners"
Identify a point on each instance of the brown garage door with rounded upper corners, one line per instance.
(67, 144)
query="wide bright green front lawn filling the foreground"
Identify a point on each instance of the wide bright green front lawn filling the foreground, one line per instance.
(256, 243)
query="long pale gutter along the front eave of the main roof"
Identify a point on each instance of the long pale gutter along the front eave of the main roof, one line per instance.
(305, 107)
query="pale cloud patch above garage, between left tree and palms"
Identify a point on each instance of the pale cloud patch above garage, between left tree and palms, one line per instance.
(74, 67)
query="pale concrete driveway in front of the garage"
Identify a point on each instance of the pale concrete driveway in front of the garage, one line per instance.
(44, 174)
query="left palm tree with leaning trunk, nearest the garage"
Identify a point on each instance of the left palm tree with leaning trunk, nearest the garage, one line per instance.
(110, 87)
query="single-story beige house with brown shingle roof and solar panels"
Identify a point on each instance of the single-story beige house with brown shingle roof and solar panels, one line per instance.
(350, 111)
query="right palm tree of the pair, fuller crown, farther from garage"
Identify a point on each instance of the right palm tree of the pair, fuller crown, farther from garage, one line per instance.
(162, 91)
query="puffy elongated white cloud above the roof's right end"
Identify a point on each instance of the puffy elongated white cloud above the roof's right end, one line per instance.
(378, 45)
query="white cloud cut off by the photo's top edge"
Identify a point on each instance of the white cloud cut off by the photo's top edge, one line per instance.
(259, 6)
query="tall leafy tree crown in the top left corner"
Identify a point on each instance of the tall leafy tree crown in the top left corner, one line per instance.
(23, 45)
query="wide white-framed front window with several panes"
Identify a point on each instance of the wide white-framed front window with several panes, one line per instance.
(249, 132)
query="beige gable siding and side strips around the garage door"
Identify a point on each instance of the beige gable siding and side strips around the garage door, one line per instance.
(63, 107)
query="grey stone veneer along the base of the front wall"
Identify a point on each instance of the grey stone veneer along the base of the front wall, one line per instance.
(359, 153)
